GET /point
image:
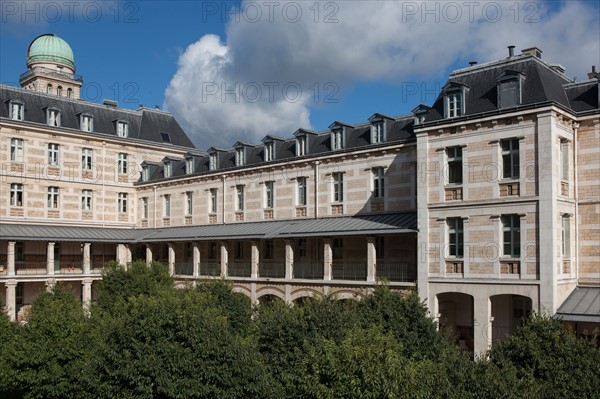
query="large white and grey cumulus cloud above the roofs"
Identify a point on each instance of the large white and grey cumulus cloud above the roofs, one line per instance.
(280, 59)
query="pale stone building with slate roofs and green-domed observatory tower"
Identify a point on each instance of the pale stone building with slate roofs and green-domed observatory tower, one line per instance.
(487, 201)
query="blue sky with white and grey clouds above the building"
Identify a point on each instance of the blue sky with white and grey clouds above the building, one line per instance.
(240, 70)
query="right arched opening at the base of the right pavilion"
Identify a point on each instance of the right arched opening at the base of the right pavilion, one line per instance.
(508, 312)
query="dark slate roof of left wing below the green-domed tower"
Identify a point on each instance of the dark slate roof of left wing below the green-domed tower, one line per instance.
(144, 124)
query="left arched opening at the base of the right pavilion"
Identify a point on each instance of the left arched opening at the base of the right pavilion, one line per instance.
(455, 317)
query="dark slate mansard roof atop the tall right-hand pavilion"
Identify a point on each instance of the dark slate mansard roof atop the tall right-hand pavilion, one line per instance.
(541, 83)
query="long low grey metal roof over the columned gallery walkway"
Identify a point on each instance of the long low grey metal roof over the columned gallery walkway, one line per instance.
(330, 226)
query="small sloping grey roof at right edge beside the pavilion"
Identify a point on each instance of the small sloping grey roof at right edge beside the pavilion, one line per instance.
(582, 305)
